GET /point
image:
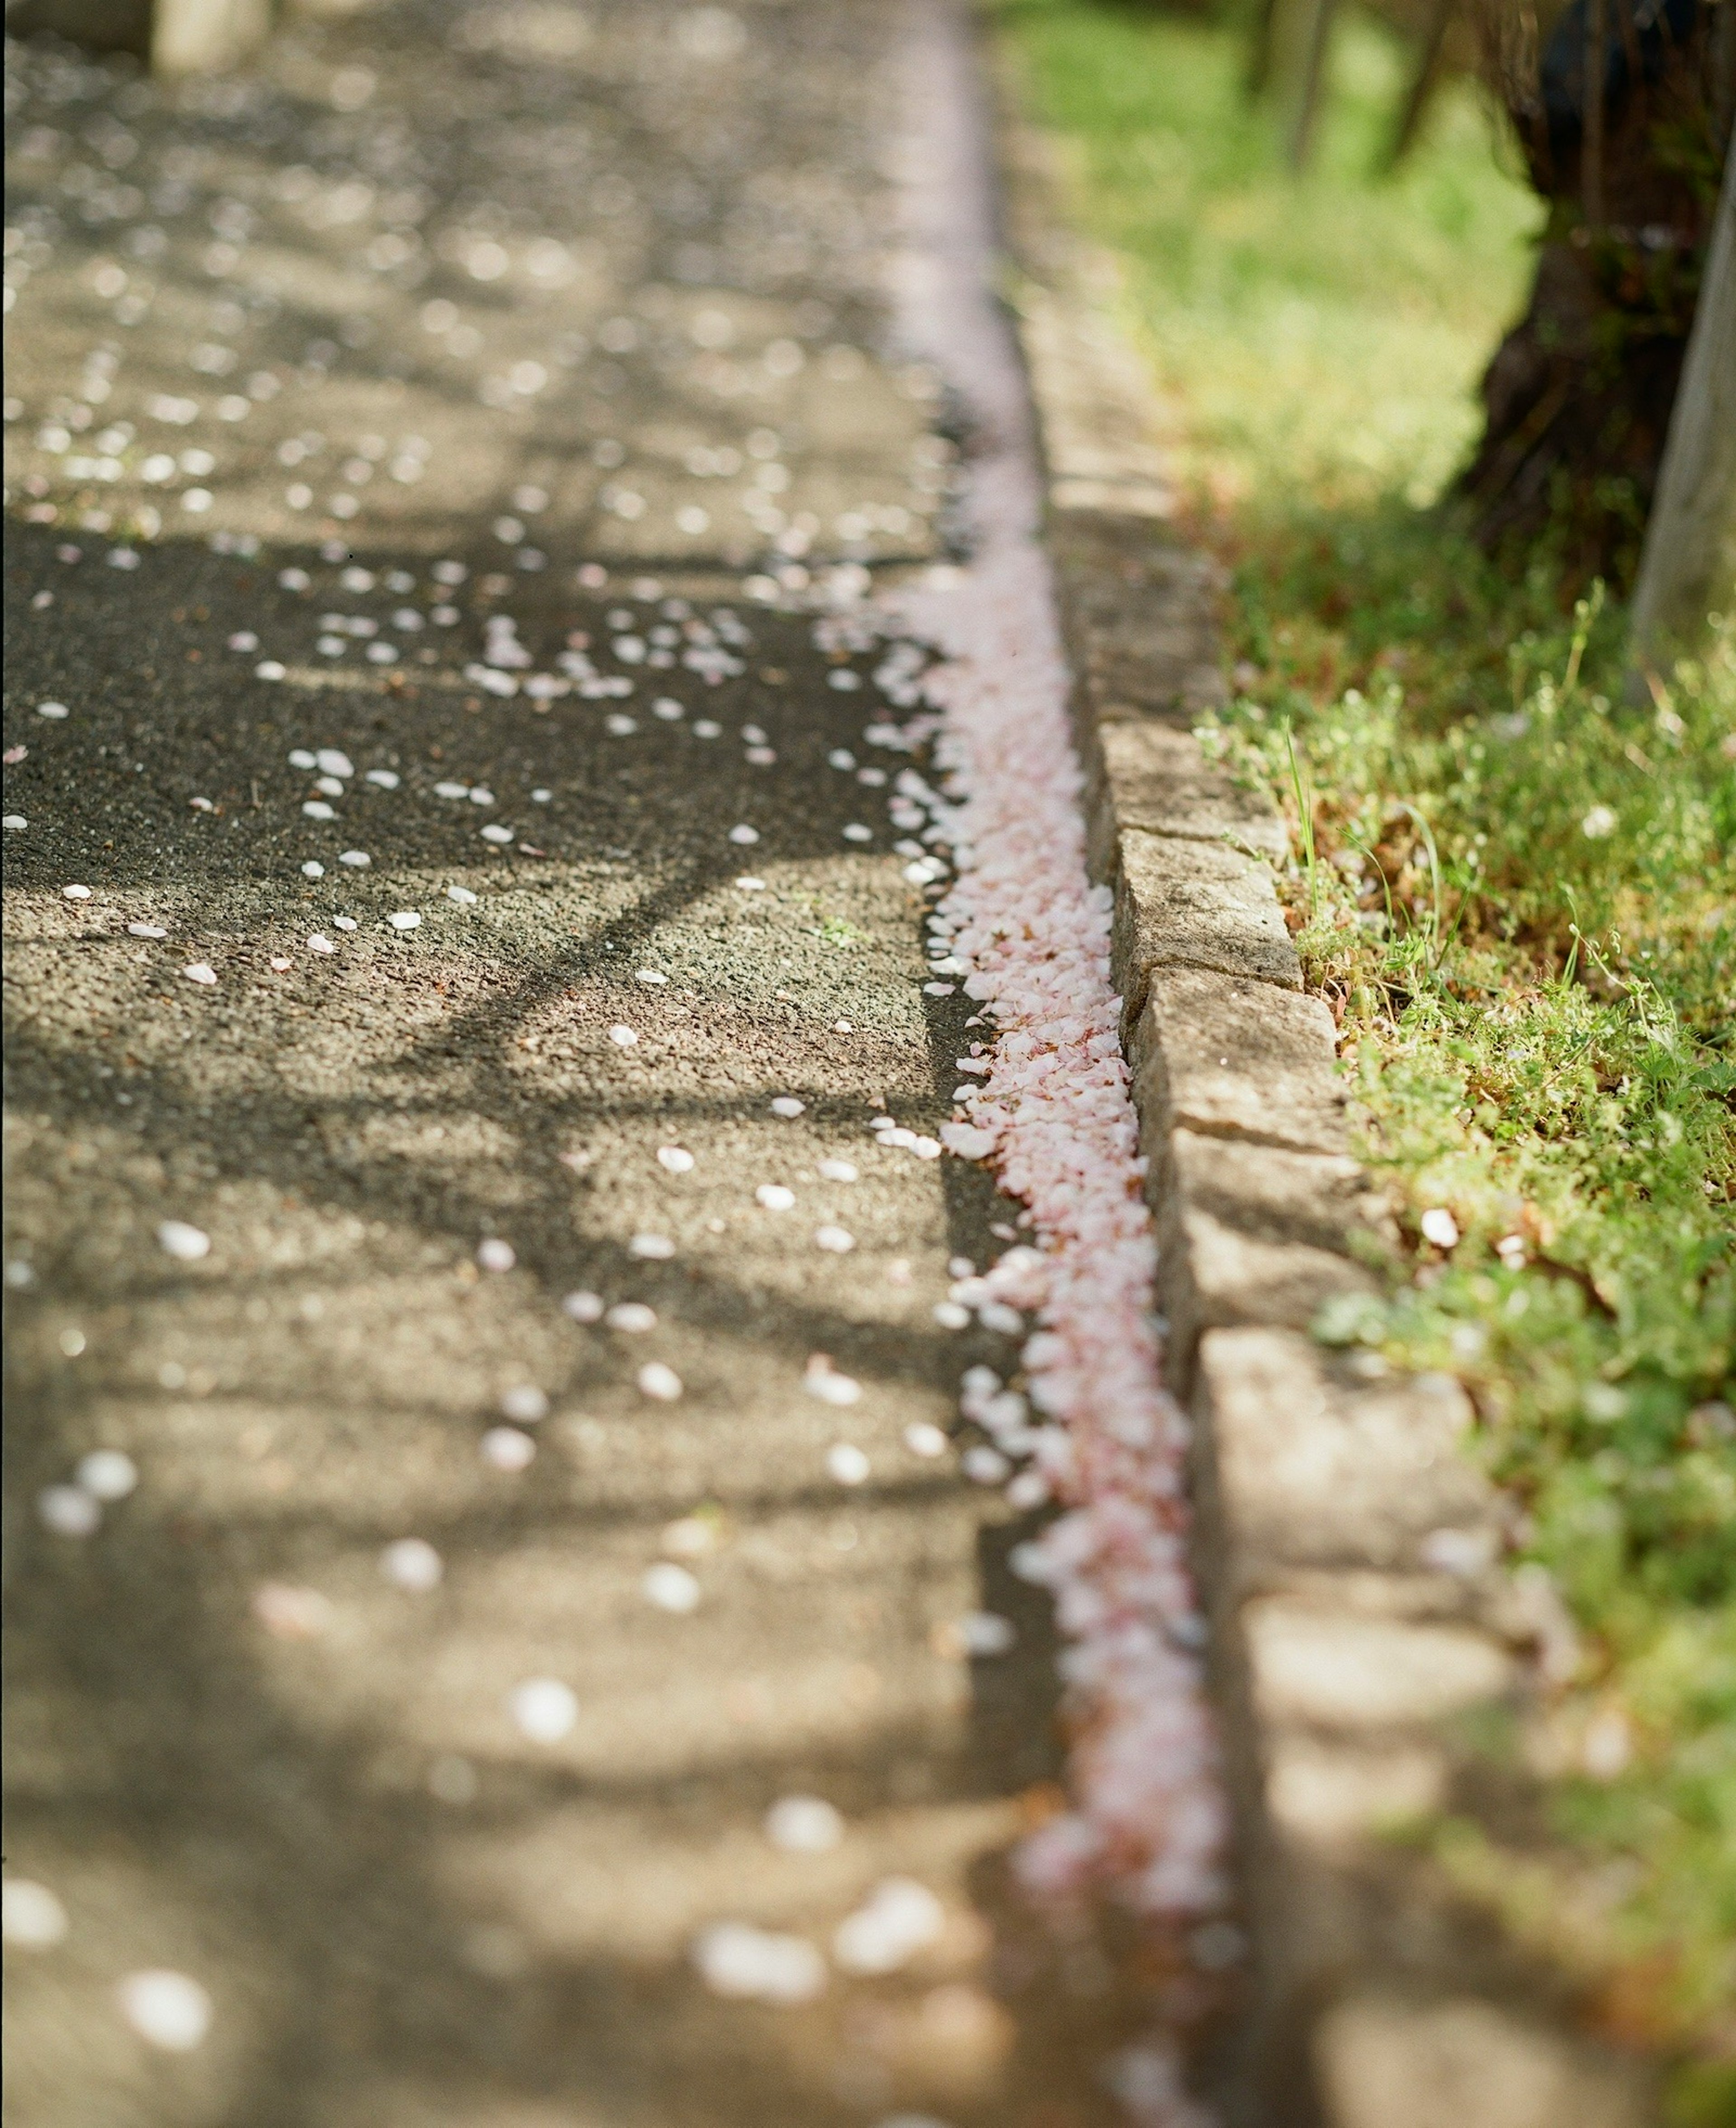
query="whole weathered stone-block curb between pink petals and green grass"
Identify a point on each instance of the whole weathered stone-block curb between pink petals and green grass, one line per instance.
(1346, 1548)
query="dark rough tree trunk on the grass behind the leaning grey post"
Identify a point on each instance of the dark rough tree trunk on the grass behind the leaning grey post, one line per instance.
(1580, 395)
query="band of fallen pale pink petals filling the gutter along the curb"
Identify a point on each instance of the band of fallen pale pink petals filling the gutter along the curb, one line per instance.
(1048, 1103)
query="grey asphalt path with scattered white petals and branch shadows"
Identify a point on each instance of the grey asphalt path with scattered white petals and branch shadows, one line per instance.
(416, 456)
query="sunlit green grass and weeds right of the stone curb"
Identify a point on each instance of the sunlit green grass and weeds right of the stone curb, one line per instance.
(1514, 888)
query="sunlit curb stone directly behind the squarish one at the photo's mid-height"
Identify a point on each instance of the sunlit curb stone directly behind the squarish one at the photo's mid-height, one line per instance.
(1195, 905)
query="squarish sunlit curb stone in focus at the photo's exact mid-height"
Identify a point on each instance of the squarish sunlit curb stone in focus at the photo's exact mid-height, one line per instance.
(1237, 1061)
